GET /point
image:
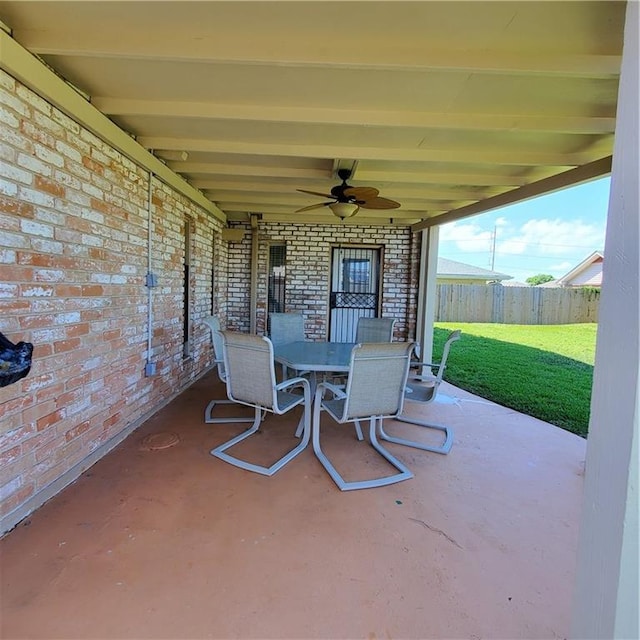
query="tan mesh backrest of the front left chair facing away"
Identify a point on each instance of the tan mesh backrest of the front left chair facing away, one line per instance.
(251, 377)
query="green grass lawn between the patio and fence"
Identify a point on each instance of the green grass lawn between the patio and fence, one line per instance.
(545, 371)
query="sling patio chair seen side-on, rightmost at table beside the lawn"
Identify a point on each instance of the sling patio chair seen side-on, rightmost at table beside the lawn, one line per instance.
(423, 388)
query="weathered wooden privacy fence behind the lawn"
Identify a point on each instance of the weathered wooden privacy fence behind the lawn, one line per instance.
(515, 305)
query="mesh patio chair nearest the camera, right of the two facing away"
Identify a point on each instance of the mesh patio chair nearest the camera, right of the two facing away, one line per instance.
(374, 390)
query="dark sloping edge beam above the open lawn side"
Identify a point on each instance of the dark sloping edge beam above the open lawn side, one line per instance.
(547, 185)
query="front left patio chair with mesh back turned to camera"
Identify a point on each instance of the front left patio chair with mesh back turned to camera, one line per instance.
(251, 380)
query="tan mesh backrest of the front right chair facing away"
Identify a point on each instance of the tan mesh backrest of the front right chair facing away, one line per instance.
(377, 378)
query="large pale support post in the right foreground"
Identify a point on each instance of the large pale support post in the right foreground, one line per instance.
(606, 590)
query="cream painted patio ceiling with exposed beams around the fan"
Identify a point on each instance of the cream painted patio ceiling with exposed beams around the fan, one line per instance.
(450, 108)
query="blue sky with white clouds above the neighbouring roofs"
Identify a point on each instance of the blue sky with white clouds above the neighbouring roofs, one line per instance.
(550, 234)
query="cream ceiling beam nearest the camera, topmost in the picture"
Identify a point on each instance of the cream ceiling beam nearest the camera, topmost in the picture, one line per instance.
(174, 47)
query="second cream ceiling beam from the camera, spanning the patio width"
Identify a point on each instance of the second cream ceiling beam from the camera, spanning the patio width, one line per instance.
(327, 116)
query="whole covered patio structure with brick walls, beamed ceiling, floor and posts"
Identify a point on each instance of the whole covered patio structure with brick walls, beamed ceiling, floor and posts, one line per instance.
(150, 161)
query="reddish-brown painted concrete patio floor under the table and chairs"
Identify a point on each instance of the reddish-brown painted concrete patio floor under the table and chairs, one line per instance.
(173, 543)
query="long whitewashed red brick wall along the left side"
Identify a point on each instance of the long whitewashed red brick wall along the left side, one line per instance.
(73, 260)
